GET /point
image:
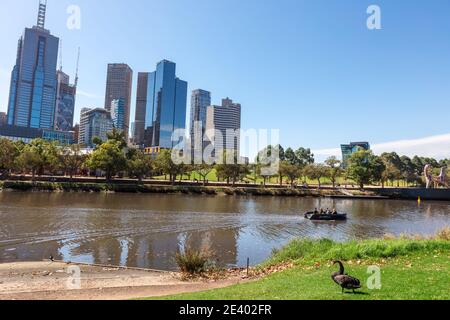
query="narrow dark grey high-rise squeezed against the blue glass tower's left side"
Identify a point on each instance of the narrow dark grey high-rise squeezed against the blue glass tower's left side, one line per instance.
(141, 106)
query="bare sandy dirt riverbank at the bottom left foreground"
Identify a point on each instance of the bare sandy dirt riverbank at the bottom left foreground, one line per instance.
(53, 281)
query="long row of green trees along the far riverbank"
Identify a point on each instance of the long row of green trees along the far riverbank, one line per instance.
(113, 158)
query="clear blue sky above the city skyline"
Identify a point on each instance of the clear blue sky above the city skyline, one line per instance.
(310, 68)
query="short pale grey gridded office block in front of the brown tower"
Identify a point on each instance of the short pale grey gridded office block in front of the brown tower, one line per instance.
(94, 123)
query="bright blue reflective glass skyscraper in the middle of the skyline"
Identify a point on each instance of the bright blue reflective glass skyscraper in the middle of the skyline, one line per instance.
(165, 106)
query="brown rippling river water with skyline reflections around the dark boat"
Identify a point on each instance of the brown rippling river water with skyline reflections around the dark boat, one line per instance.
(147, 230)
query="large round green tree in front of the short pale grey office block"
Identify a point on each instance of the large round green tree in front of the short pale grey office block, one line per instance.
(108, 157)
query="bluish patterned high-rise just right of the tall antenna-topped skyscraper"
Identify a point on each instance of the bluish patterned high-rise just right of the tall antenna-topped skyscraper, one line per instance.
(65, 102)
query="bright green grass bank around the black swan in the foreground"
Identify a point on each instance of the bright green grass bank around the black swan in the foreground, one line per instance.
(411, 269)
